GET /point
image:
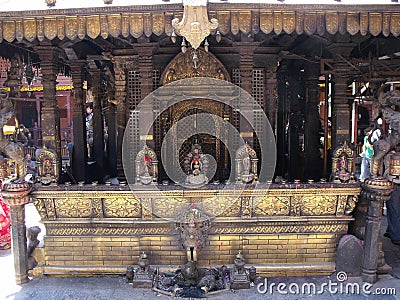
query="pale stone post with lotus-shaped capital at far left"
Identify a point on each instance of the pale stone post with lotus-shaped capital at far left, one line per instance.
(16, 195)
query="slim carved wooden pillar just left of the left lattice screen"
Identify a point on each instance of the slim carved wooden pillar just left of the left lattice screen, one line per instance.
(120, 98)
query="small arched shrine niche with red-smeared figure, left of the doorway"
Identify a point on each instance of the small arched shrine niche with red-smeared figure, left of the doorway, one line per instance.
(146, 166)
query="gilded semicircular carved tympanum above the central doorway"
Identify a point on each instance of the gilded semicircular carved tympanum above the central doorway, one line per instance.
(182, 66)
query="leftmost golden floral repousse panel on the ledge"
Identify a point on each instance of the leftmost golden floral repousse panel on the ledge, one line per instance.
(73, 207)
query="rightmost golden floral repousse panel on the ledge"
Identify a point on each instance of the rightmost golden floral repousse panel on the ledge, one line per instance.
(314, 205)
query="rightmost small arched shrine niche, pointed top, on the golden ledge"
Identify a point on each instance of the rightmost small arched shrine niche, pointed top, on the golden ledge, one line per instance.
(342, 164)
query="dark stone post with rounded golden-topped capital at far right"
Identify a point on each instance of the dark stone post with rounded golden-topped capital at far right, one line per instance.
(377, 191)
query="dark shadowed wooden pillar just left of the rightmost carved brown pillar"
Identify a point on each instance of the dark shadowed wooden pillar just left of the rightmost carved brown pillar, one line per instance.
(311, 133)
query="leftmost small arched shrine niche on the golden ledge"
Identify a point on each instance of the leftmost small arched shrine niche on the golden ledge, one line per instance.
(47, 164)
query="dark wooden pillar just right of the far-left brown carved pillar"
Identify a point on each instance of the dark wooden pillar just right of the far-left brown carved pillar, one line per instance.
(79, 154)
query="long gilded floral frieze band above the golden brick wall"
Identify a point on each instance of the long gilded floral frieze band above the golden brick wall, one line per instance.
(298, 200)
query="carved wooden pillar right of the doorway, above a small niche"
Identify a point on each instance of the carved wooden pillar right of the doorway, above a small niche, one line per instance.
(246, 51)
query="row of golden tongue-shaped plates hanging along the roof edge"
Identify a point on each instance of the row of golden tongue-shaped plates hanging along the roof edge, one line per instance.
(112, 21)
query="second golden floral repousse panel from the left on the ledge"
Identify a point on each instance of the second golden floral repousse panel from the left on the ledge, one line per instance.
(121, 207)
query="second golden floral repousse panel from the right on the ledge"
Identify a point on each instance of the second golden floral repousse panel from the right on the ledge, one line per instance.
(271, 206)
